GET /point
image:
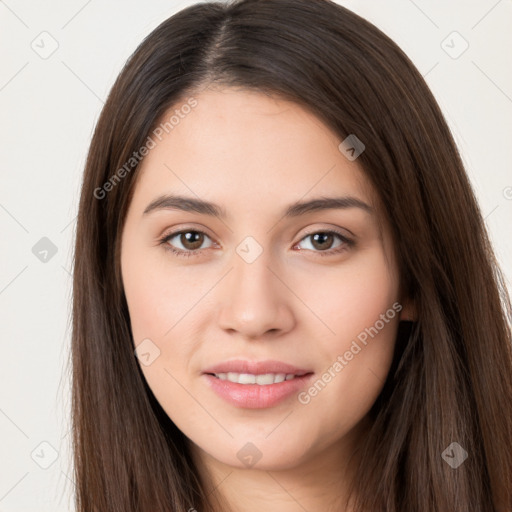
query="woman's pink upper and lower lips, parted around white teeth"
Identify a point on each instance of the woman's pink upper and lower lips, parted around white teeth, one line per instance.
(255, 396)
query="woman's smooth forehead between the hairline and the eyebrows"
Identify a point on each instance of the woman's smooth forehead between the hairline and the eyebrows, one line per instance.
(247, 149)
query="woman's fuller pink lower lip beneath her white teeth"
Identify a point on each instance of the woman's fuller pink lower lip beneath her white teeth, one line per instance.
(254, 396)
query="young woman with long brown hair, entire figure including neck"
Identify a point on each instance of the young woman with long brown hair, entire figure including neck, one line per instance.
(284, 293)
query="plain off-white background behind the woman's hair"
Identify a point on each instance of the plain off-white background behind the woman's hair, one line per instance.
(50, 104)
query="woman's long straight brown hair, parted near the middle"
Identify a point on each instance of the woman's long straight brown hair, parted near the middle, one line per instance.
(451, 380)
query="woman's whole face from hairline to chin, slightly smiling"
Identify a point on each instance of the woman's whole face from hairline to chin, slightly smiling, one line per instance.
(274, 288)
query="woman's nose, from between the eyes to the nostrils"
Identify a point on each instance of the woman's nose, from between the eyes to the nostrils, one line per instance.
(255, 302)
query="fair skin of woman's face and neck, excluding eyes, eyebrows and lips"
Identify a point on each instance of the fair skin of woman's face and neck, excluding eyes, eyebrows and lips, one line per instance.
(254, 155)
